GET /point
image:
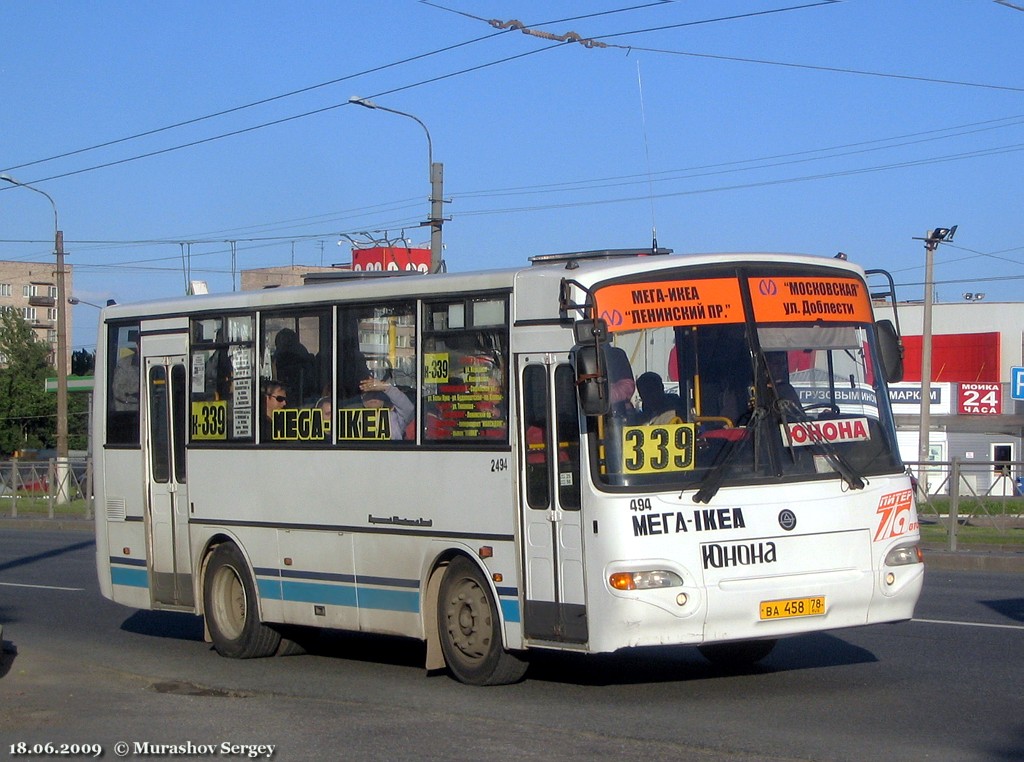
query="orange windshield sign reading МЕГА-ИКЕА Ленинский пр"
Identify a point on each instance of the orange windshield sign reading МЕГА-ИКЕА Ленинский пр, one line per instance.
(697, 303)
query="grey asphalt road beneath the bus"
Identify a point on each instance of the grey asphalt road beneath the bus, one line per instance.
(78, 669)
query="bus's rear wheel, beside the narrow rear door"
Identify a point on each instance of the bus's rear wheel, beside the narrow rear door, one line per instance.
(231, 607)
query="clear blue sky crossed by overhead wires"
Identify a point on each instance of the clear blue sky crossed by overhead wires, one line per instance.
(729, 125)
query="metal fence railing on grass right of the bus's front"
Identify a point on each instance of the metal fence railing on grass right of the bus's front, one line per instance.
(960, 493)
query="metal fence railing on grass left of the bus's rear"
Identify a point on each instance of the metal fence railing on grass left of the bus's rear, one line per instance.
(55, 489)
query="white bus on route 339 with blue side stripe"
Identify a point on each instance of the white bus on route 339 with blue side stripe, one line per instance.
(601, 451)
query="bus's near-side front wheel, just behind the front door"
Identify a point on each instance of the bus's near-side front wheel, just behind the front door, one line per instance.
(471, 629)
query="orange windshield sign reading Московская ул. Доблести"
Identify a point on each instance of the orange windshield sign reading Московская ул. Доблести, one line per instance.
(786, 300)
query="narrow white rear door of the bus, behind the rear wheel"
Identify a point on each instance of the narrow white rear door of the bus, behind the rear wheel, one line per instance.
(167, 498)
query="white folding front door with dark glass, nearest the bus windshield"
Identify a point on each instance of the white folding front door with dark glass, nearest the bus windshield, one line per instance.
(556, 602)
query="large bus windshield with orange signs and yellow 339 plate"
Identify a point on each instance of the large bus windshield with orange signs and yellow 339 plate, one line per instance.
(740, 378)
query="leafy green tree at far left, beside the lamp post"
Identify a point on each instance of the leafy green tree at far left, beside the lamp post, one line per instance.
(28, 414)
